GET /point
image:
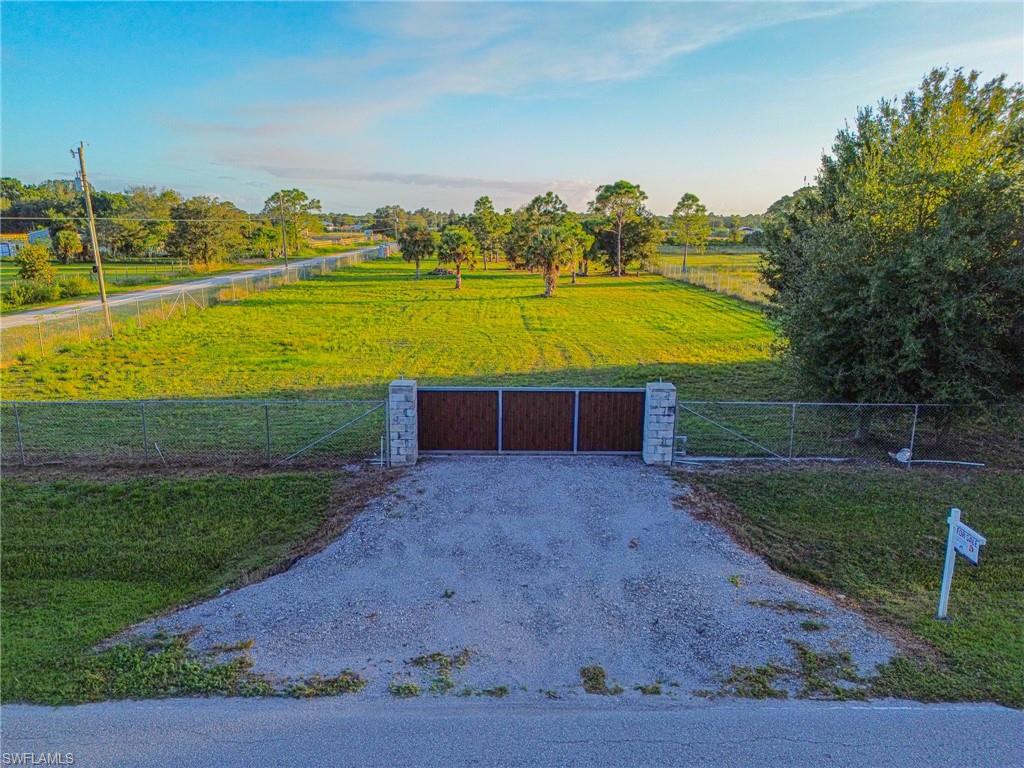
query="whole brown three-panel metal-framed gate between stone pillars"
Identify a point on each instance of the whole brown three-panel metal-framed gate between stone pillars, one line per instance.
(537, 420)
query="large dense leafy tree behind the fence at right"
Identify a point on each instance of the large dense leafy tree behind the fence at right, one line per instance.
(900, 276)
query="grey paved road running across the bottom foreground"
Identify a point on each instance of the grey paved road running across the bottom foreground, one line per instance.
(454, 733)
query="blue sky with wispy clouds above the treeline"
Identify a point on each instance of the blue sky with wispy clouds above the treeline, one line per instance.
(371, 104)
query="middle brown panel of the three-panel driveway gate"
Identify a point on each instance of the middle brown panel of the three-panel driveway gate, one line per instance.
(537, 421)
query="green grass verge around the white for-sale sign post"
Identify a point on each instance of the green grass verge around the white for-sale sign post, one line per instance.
(878, 536)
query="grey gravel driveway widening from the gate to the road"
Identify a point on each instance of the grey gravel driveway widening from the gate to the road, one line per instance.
(539, 567)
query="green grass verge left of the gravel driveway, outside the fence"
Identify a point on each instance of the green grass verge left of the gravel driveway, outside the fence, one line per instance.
(83, 560)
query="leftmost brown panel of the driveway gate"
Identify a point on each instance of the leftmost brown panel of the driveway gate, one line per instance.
(452, 420)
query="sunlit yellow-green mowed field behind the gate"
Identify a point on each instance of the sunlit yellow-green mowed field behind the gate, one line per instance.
(348, 334)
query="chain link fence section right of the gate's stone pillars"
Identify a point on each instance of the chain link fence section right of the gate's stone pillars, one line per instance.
(905, 434)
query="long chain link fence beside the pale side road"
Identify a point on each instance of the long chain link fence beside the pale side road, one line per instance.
(47, 333)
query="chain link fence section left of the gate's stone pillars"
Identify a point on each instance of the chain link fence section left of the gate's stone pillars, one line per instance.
(183, 434)
